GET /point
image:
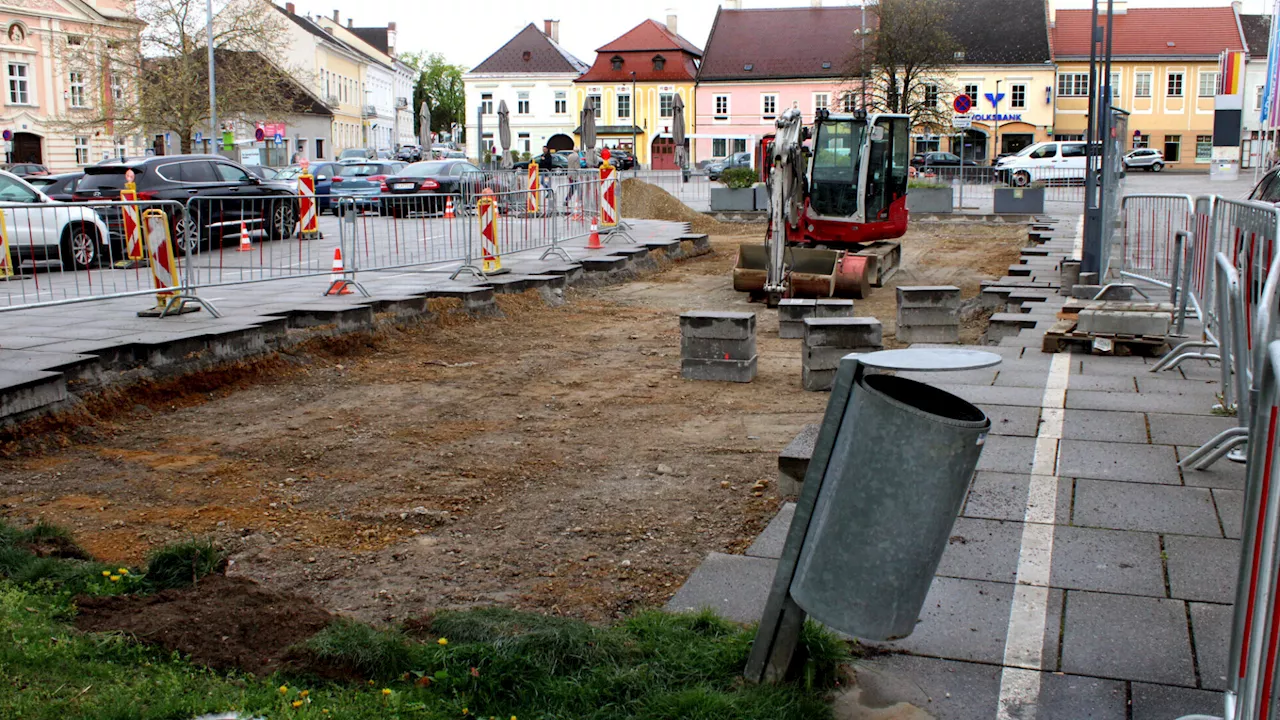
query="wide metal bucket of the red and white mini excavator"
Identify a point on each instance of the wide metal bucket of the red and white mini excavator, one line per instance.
(810, 274)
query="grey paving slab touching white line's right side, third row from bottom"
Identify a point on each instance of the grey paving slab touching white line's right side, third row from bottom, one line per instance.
(1119, 562)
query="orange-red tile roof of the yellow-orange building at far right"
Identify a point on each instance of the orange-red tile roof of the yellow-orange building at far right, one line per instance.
(1146, 33)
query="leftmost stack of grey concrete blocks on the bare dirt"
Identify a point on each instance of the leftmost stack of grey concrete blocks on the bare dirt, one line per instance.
(717, 347)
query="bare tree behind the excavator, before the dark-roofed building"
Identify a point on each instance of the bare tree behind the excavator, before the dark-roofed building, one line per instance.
(907, 57)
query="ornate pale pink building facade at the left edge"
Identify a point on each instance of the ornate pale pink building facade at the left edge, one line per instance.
(51, 98)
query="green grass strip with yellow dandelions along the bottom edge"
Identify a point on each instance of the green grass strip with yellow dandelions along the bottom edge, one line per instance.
(496, 663)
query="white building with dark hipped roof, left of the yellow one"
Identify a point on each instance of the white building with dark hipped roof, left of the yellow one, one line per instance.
(536, 76)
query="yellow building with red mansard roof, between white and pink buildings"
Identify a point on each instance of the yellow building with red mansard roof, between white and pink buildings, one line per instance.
(634, 84)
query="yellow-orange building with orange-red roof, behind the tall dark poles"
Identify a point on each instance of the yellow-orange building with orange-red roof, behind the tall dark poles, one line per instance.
(1164, 72)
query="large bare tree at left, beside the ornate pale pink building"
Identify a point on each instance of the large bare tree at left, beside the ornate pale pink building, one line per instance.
(161, 81)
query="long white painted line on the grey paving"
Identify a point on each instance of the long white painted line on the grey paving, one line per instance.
(1028, 613)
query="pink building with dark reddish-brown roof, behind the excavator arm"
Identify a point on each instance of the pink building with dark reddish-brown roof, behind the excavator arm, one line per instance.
(761, 62)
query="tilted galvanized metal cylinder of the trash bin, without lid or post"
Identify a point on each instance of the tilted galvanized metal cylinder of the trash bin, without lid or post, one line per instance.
(895, 484)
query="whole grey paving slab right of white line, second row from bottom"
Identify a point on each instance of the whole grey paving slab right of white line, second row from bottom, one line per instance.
(1127, 639)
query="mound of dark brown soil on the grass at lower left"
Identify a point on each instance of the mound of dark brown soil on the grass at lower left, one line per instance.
(225, 623)
